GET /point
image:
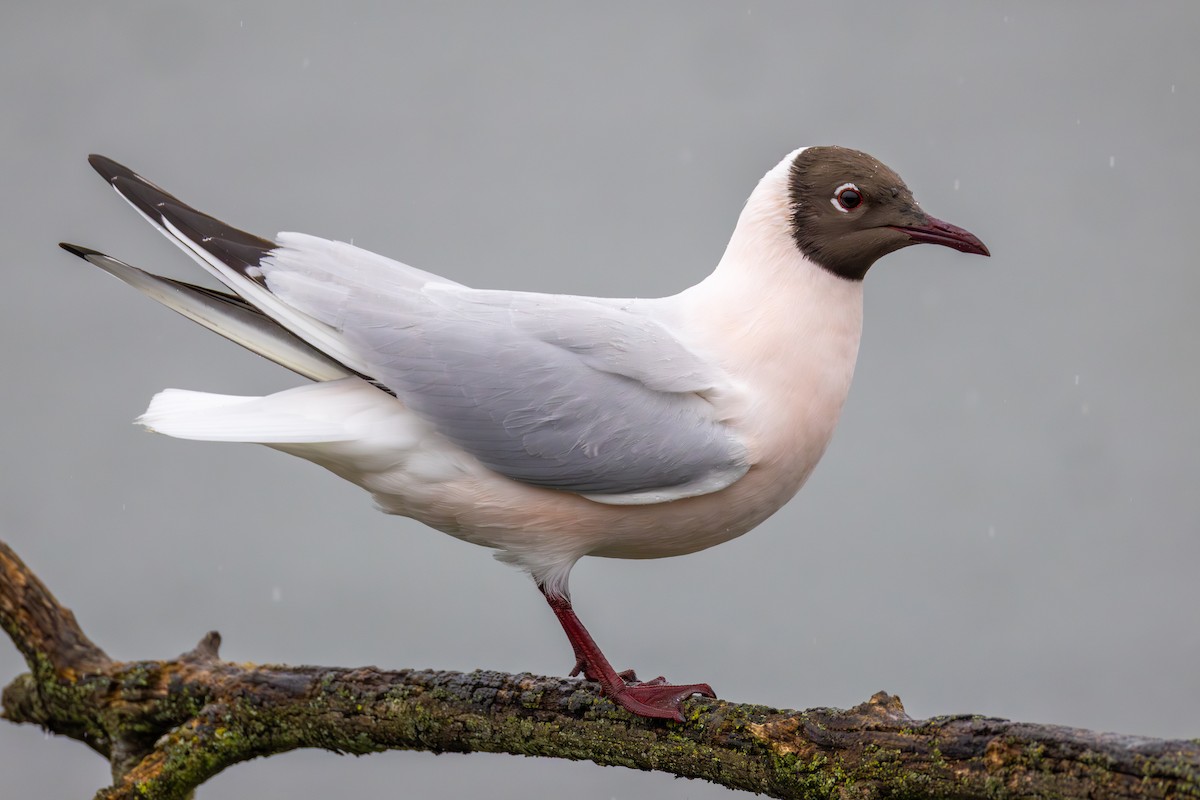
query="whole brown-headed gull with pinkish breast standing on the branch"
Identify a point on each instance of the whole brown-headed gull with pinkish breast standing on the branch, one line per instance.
(550, 428)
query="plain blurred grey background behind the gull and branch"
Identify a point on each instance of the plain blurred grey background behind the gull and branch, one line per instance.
(1007, 520)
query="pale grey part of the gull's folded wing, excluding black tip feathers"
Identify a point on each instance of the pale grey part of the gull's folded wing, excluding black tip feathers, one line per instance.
(565, 393)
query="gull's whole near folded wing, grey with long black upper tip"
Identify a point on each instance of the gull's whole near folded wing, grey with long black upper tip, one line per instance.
(572, 394)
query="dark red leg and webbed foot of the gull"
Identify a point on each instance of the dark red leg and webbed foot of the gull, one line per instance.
(656, 699)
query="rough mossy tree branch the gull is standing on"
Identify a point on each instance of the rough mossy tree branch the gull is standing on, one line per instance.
(169, 726)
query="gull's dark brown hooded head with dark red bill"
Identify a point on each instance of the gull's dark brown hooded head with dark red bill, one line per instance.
(849, 210)
